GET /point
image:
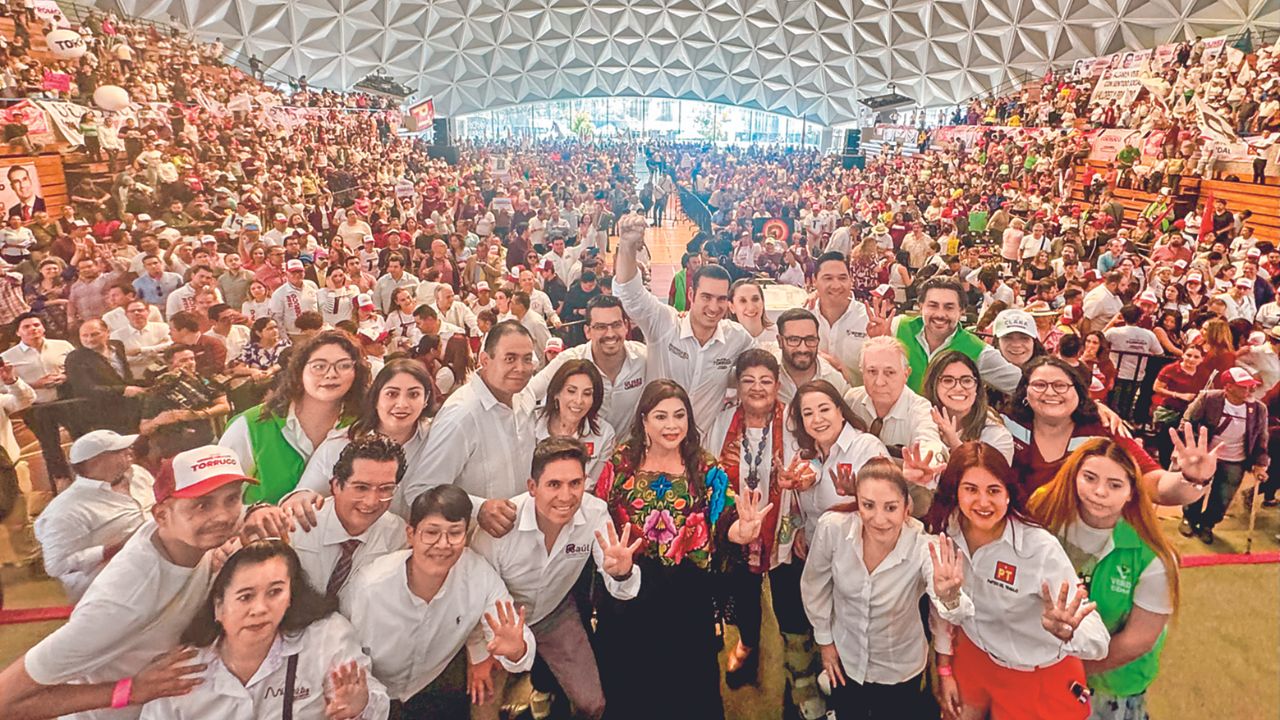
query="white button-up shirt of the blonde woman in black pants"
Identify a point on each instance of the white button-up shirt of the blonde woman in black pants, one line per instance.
(874, 617)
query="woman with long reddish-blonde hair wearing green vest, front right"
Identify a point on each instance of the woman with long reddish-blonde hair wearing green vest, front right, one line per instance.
(1107, 521)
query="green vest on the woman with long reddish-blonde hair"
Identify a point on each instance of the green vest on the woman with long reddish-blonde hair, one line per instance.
(1114, 584)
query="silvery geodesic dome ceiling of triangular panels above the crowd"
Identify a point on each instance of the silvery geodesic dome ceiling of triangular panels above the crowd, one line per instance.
(810, 60)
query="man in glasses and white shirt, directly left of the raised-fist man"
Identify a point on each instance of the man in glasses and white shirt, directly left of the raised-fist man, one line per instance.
(620, 361)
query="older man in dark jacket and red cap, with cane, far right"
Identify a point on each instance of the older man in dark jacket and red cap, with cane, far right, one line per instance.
(1238, 426)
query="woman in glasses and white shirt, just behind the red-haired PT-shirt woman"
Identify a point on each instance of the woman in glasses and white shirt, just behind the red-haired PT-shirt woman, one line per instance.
(954, 388)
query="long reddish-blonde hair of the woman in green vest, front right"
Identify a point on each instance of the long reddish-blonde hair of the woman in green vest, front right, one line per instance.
(1057, 505)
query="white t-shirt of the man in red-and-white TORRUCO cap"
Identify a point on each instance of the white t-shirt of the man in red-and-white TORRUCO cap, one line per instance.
(136, 610)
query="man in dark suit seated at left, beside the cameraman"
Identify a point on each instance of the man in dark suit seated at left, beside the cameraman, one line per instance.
(99, 375)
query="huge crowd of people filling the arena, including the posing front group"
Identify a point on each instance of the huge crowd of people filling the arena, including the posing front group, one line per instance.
(327, 393)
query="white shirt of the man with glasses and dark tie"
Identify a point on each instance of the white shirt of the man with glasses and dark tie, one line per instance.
(321, 548)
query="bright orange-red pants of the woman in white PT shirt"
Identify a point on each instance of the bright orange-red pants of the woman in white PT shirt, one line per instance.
(1018, 695)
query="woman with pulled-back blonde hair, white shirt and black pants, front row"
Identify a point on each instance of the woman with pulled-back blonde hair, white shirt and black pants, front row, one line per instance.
(868, 567)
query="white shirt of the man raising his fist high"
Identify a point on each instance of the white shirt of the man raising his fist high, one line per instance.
(703, 371)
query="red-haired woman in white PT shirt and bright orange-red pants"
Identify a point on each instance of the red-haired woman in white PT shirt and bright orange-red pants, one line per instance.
(1020, 655)
